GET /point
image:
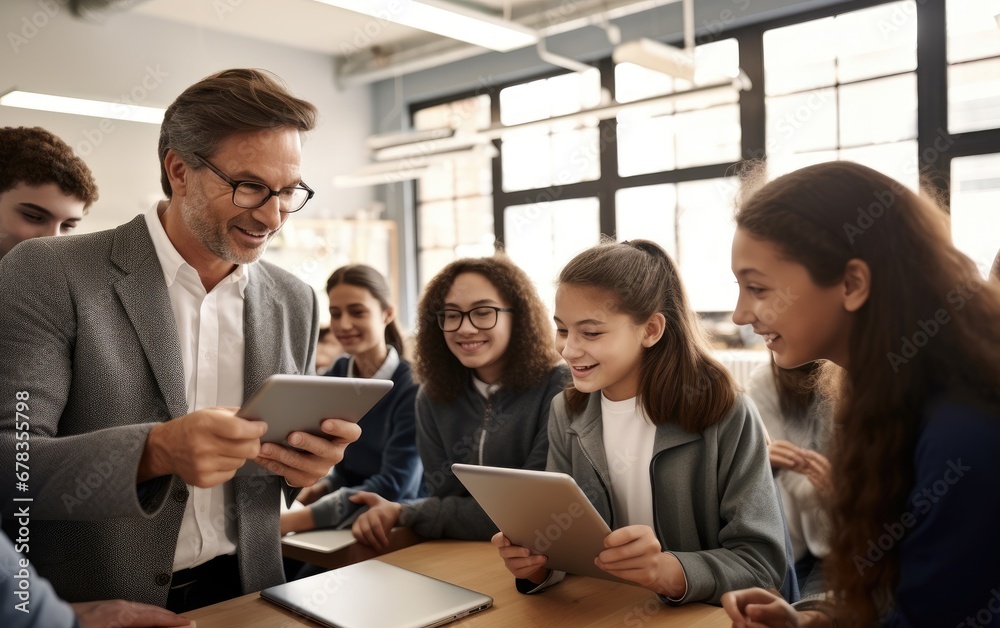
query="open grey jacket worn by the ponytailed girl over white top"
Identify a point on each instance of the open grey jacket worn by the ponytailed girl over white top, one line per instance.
(714, 500)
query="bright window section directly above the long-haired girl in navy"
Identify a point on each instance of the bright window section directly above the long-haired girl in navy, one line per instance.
(844, 87)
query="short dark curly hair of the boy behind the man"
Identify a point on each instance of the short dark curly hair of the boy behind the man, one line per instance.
(33, 156)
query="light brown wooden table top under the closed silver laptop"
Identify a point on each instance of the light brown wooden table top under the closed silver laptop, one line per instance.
(576, 602)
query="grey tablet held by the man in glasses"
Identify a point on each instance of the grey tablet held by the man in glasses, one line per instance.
(299, 403)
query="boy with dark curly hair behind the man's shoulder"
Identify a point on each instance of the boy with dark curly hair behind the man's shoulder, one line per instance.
(45, 190)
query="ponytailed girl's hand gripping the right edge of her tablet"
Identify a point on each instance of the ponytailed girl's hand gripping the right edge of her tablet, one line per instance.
(634, 553)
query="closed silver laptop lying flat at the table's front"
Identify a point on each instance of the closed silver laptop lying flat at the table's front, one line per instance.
(373, 593)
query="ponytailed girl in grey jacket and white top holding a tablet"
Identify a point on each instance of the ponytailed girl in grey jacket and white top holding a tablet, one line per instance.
(657, 435)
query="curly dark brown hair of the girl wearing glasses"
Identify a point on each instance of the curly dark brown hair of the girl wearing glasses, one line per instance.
(531, 353)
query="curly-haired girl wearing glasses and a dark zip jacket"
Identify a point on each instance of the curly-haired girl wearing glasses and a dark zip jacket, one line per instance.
(486, 363)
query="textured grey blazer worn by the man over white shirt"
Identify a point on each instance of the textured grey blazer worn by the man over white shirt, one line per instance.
(87, 332)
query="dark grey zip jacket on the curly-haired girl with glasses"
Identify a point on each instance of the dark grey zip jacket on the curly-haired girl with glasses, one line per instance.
(511, 434)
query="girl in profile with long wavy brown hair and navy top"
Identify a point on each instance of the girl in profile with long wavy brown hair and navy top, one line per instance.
(914, 326)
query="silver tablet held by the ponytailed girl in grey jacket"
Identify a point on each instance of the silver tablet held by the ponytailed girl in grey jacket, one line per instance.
(543, 511)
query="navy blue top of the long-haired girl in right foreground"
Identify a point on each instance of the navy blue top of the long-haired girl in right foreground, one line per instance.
(950, 554)
